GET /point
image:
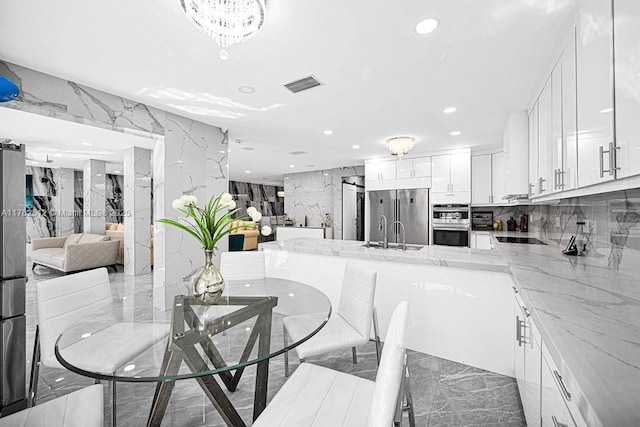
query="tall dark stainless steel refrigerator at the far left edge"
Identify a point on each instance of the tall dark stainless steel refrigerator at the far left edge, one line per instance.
(12, 278)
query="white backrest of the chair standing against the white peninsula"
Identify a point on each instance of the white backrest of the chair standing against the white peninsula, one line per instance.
(356, 297)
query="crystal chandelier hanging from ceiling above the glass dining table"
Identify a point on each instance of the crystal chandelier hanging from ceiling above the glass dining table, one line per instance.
(226, 21)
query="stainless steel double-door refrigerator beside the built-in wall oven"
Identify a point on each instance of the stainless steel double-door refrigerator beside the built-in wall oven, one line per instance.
(411, 207)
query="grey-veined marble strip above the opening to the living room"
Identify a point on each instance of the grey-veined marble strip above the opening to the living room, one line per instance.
(55, 97)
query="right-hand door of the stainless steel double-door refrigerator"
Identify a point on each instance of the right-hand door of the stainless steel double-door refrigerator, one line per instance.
(413, 212)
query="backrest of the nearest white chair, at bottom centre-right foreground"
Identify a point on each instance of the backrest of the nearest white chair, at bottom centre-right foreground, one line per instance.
(390, 371)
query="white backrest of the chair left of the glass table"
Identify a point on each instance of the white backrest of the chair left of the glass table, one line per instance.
(65, 300)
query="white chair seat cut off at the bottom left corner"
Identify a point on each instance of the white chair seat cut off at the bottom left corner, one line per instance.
(82, 408)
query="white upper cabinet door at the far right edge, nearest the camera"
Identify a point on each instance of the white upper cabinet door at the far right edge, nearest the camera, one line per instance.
(627, 86)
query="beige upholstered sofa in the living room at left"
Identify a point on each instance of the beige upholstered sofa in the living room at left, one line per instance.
(77, 252)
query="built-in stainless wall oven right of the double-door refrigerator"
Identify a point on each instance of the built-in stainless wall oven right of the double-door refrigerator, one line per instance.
(451, 225)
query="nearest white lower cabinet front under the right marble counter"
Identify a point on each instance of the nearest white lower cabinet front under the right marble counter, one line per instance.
(554, 409)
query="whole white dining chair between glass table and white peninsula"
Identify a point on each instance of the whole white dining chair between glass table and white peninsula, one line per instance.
(349, 327)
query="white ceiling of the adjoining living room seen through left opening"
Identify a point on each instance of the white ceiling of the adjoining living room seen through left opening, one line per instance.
(66, 143)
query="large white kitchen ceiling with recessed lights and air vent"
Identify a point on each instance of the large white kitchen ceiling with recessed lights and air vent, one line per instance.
(381, 79)
